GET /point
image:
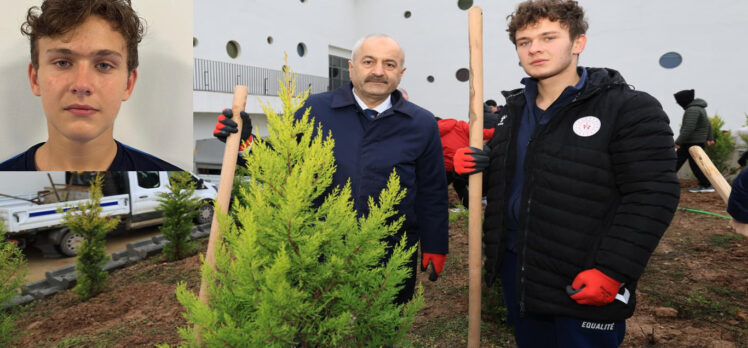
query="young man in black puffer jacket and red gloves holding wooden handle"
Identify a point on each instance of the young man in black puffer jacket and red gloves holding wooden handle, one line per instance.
(581, 186)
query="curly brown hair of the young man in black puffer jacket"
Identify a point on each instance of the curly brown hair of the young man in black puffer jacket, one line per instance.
(568, 12)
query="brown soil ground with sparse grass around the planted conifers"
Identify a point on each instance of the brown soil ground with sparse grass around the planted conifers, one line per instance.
(699, 270)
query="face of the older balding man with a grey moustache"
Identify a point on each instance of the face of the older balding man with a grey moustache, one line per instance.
(378, 68)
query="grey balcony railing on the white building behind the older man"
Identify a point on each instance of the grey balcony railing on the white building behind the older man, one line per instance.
(215, 76)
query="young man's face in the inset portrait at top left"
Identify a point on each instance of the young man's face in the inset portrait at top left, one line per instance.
(82, 80)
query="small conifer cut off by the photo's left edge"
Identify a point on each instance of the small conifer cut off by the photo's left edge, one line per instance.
(12, 274)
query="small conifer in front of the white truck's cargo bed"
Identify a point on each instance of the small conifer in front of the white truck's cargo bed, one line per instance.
(86, 221)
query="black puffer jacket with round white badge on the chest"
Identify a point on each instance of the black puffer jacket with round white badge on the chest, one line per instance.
(599, 192)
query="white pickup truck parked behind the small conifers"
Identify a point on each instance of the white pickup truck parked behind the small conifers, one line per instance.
(130, 195)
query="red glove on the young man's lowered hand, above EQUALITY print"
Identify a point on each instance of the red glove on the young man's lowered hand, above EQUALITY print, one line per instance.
(594, 288)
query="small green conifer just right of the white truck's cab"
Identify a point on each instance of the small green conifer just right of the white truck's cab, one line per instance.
(179, 208)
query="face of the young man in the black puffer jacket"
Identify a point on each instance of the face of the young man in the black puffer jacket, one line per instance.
(546, 50)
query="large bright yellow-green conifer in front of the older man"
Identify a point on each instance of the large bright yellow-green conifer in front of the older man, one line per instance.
(291, 273)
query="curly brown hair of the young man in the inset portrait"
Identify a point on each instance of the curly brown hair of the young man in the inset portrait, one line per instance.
(57, 17)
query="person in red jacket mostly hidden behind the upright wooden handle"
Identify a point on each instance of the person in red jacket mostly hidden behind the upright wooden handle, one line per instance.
(455, 134)
